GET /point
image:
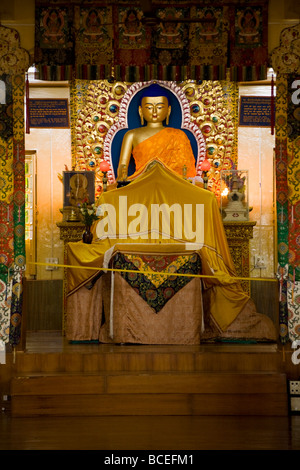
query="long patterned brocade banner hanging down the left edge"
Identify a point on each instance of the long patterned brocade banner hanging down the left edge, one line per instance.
(12, 227)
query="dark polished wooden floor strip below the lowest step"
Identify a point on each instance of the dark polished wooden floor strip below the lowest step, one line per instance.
(150, 433)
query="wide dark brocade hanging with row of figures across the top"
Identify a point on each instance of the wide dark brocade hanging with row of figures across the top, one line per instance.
(178, 41)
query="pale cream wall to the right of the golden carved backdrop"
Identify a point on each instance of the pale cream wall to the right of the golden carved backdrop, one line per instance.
(256, 154)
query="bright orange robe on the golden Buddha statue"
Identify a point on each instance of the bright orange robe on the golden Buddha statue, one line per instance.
(169, 146)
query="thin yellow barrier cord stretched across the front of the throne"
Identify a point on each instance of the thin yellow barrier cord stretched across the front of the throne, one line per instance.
(160, 273)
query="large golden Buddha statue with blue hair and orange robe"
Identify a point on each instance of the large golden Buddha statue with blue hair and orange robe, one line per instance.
(154, 141)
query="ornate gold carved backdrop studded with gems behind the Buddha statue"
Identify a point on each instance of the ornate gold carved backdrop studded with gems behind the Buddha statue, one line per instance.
(95, 109)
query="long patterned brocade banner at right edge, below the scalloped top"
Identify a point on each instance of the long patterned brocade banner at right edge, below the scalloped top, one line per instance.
(288, 205)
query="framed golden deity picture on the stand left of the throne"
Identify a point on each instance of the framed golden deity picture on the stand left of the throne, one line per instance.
(78, 187)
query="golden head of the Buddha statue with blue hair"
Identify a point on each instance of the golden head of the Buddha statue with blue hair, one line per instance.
(154, 107)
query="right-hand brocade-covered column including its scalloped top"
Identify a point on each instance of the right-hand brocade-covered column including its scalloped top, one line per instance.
(286, 64)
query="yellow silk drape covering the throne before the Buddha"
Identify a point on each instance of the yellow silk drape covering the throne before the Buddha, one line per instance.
(160, 186)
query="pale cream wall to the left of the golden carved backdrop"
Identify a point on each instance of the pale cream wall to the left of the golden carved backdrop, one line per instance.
(53, 151)
